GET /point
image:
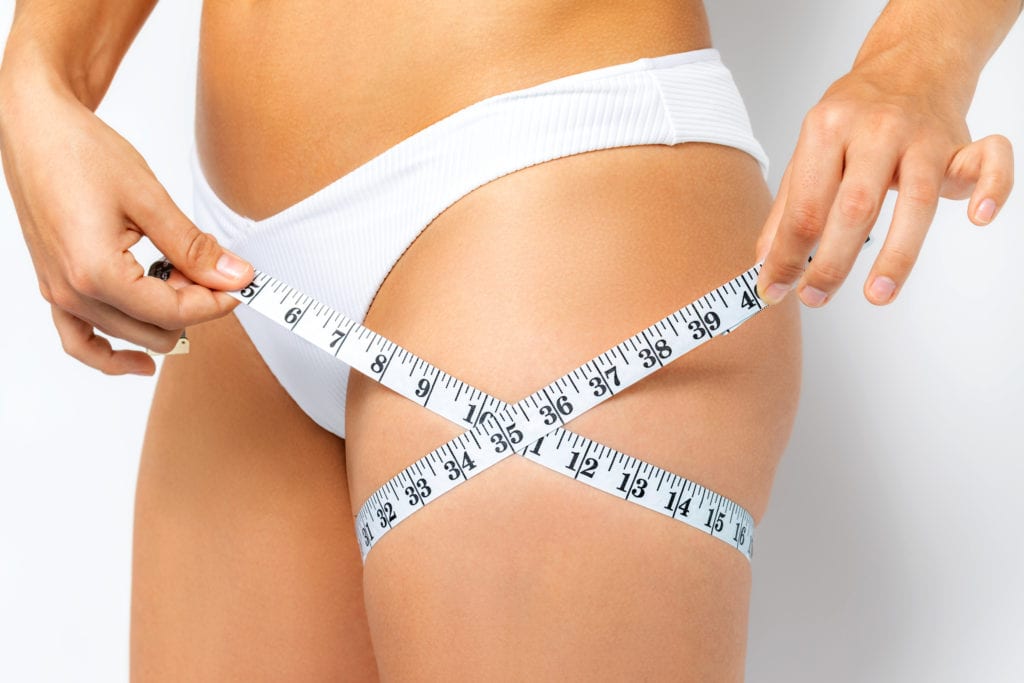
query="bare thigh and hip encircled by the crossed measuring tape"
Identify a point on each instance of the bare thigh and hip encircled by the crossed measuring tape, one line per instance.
(525, 575)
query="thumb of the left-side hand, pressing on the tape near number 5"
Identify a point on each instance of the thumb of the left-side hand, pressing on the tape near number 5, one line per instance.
(195, 253)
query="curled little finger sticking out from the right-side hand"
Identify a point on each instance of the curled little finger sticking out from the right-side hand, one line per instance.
(987, 167)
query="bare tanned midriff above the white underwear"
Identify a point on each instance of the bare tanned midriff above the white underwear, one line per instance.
(295, 94)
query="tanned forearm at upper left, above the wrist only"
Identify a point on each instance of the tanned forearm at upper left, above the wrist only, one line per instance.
(77, 45)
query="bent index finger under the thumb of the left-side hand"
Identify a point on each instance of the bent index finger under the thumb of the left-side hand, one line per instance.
(124, 286)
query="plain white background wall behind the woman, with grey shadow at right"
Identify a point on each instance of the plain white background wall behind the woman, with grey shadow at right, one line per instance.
(891, 549)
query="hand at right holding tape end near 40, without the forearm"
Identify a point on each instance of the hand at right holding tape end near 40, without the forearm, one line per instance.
(871, 134)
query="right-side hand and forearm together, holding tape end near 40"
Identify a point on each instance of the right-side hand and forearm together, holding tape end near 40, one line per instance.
(895, 121)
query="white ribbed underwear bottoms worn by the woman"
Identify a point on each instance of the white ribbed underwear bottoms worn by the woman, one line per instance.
(339, 244)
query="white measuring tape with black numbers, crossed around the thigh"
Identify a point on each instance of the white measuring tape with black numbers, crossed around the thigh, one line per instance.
(533, 428)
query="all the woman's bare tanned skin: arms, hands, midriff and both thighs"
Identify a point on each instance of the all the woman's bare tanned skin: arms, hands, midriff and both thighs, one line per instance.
(244, 566)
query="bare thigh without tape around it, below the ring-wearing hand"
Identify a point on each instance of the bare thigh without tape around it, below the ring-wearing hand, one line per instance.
(245, 562)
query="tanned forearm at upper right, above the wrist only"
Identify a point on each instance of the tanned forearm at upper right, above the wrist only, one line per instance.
(943, 42)
